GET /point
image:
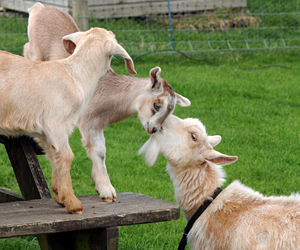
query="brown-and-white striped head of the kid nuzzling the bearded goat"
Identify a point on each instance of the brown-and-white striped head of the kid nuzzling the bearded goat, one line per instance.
(159, 102)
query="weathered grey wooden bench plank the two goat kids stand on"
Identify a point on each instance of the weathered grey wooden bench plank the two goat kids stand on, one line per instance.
(45, 216)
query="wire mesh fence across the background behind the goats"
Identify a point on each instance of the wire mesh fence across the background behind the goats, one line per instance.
(169, 25)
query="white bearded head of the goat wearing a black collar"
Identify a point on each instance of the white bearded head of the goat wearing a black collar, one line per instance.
(184, 143)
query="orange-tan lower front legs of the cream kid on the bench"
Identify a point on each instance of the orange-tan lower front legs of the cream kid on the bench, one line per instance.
(61, 159)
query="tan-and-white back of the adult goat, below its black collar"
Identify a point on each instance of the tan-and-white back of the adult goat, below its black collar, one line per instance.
(241, 218)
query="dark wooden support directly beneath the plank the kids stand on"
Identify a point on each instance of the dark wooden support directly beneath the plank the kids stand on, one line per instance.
(94, 239)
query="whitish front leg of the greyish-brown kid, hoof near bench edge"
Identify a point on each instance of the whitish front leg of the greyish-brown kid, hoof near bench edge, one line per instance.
(94, 142)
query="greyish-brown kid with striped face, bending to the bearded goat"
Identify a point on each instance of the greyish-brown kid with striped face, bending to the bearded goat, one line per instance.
(117, 97)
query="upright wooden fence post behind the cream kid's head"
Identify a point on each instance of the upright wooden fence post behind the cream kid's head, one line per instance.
(80, 14)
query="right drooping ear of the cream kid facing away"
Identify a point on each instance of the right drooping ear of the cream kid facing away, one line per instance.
(114, 48)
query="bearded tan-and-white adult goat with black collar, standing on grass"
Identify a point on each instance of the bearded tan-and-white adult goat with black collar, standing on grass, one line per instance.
(238, 218)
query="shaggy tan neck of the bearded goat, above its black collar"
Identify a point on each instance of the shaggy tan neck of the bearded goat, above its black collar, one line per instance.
(195, 184)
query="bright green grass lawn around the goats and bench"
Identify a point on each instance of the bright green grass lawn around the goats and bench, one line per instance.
(255, 108)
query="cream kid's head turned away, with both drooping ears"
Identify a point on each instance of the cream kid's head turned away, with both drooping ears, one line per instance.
(103, 40)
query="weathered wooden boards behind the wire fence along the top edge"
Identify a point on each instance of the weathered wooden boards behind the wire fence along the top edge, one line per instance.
(126, 8)
